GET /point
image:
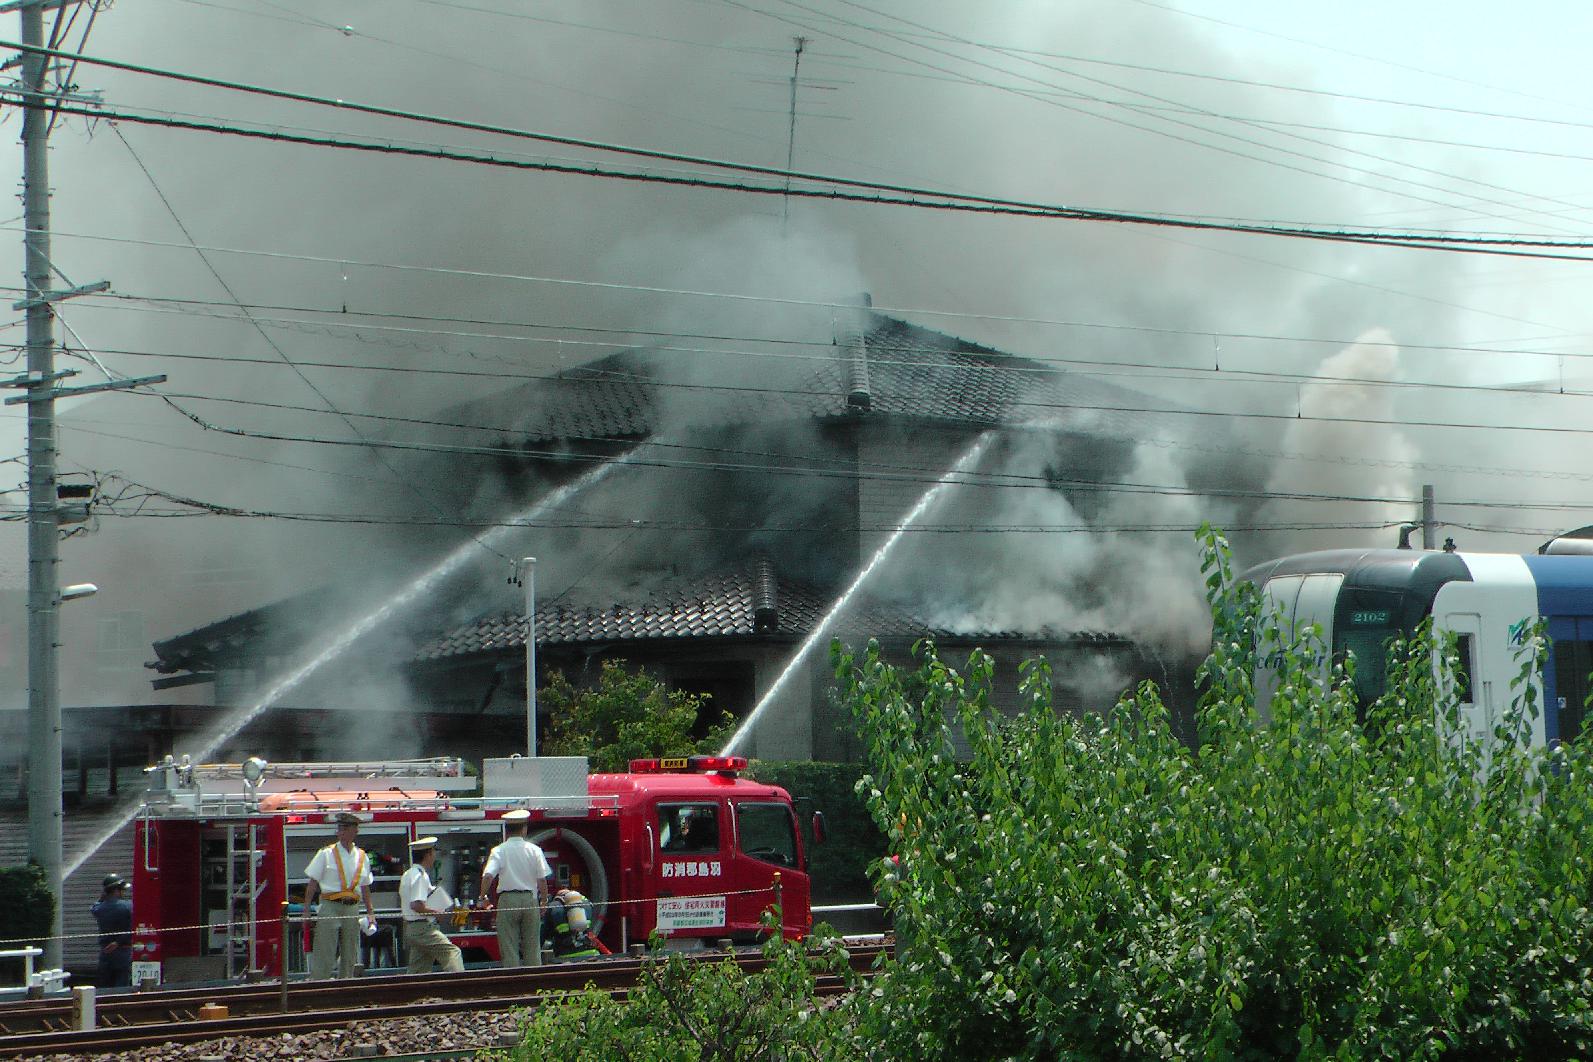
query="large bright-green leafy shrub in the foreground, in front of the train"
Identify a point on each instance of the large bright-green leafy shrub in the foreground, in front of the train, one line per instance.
(1315, 888)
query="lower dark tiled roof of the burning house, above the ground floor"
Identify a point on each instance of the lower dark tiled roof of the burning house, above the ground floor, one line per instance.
(718, 606)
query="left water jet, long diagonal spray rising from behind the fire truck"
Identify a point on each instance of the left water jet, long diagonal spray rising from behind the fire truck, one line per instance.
(428, 580)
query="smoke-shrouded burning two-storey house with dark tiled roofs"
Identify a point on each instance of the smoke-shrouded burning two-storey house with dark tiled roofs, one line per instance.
(734, 513)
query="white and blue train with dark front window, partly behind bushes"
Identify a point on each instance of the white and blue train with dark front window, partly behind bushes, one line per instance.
(1492, 603)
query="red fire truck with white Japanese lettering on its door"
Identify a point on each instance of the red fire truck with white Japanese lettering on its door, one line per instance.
(684, 848)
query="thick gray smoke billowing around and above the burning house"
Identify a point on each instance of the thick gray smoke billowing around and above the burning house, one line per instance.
(334, 225)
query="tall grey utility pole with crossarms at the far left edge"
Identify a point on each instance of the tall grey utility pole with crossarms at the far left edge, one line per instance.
(44, 510)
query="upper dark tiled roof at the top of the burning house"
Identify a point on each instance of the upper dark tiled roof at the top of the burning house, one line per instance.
(910, 372)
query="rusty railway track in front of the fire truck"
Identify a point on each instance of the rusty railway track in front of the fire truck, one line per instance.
(173, 1017)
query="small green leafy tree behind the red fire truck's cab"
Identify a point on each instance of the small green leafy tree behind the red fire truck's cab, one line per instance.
(627, 716)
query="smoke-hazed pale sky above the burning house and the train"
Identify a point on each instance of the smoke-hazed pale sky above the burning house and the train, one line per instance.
(447, 276)
